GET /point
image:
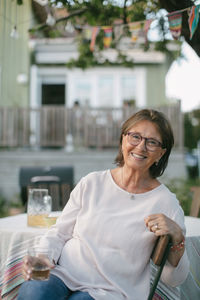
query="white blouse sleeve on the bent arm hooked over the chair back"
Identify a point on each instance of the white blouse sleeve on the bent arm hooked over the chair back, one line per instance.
(174, 276)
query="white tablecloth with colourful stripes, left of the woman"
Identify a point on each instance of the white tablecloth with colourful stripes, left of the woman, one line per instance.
(16, 238)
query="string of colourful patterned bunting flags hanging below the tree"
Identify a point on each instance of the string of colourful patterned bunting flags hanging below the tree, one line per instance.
(140, 29)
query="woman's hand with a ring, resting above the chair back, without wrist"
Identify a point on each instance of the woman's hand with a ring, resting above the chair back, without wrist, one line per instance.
(162, 225)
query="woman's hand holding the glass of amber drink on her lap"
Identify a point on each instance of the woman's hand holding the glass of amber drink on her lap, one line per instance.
(30, 261)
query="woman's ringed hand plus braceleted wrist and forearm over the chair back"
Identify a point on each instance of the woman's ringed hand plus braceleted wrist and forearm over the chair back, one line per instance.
(162, 225)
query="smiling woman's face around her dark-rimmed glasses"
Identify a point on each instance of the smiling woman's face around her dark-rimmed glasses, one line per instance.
(139, 157)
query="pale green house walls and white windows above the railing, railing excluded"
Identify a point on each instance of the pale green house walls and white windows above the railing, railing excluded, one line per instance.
(33, 72)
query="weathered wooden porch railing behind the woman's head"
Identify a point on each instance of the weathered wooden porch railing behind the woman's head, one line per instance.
(58, 126)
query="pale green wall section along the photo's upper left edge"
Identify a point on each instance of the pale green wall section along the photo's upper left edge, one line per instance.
(14, 53)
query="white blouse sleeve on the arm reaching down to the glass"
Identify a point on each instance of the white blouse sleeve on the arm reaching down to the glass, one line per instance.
(62, 231)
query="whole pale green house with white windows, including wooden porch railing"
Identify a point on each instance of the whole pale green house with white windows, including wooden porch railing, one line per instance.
(43, 94)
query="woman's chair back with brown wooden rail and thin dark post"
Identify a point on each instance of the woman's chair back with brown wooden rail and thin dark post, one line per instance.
(159, 257)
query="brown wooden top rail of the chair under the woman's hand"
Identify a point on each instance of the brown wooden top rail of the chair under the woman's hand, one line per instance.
(159, 249)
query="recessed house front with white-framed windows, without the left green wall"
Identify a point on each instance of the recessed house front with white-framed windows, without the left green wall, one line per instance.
(53, 83)
